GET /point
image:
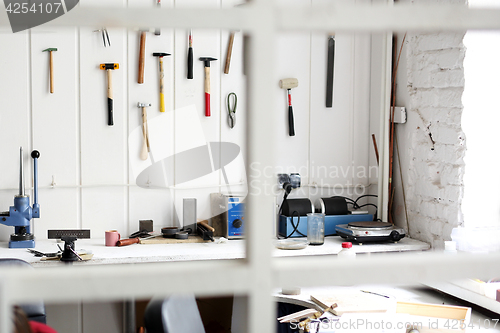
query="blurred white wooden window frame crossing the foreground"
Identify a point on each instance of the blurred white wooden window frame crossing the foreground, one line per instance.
(258, 274)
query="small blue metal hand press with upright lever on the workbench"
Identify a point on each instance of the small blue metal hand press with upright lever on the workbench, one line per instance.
(21, 213)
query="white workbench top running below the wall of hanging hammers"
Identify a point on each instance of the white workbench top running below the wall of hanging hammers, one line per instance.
(230, 249)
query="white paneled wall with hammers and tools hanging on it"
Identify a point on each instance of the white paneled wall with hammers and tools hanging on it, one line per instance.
(87, 173)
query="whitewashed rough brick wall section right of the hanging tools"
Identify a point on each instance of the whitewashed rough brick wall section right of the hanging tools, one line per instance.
(431, 143)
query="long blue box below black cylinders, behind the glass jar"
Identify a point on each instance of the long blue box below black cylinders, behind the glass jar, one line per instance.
(285, 224)
